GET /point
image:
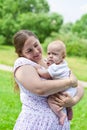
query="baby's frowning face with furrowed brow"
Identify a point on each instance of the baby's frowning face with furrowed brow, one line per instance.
(54, 53)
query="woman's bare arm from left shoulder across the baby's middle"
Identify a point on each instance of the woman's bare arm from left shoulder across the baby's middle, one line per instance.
(28, 77)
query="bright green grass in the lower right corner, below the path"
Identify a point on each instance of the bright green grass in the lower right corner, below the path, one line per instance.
(79, 121)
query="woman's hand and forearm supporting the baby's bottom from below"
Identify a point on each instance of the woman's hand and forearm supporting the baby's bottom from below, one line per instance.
(63, 99)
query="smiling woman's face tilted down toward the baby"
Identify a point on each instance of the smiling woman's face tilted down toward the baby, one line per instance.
(32, 49)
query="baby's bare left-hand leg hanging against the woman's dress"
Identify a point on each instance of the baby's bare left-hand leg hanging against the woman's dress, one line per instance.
(60, 114)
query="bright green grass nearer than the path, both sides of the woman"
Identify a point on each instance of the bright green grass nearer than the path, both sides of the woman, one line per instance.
(11, 106)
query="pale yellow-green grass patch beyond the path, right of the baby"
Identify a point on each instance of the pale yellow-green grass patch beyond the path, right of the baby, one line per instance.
(79, 67)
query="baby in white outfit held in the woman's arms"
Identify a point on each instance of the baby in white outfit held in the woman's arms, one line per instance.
(57, 69)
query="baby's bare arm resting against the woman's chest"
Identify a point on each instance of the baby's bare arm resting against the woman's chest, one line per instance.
(44, 73)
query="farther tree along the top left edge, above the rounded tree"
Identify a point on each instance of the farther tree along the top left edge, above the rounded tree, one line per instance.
(22, 6)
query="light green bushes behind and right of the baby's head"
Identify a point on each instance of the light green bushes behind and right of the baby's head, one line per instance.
(75, 46)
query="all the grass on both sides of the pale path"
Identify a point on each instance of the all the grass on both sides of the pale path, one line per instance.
(10, 102)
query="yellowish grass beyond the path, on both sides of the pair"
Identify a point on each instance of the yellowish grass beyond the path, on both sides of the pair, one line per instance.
(77, 65)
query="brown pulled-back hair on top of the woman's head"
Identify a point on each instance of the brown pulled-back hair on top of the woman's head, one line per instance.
(19, 40)
